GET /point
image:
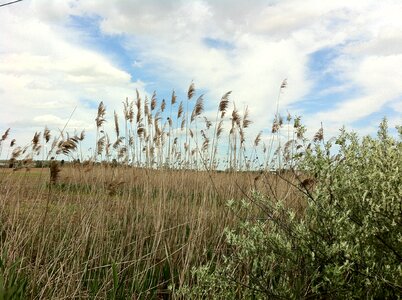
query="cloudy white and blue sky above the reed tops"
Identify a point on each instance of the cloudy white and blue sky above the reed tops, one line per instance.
(342, 59)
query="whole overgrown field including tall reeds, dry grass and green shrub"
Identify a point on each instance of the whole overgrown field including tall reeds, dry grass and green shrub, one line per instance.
(178, 208)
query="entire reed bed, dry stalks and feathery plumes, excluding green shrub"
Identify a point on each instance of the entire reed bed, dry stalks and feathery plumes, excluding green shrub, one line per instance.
(133, 218)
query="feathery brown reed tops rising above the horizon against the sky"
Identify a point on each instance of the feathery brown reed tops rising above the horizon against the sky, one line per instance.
(155, 136)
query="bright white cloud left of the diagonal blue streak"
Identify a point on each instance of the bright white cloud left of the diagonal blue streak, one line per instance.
(45, 75)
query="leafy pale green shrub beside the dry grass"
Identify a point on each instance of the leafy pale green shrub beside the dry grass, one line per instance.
(346, 244)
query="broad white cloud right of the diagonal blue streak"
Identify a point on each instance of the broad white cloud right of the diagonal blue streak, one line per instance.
(269, 42)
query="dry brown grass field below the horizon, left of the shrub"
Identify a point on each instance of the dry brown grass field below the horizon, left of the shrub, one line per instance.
(102, 231)
